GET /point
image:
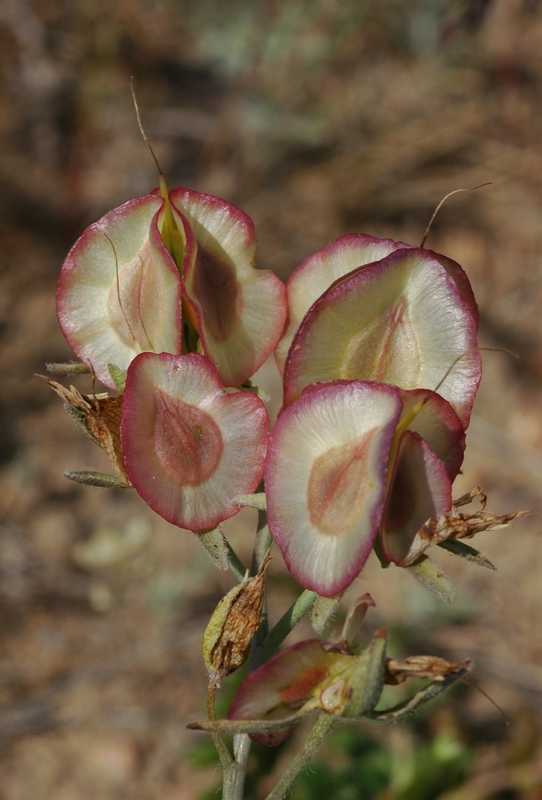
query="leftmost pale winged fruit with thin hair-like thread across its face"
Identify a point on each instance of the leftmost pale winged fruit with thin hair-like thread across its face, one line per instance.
(119, 292)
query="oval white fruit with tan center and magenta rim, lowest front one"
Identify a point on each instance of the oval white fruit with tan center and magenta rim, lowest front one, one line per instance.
(326, 479)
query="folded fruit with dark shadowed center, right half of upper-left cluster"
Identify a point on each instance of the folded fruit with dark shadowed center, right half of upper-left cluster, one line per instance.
(239, 310)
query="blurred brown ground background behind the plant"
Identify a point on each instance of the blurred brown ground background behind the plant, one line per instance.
(317, 118)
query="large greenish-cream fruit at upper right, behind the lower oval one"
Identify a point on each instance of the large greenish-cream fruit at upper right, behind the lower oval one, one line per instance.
(402, 321)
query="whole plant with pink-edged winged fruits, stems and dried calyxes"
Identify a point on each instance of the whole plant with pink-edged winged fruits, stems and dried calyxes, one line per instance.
(376, 342)
